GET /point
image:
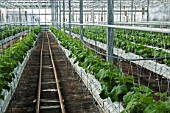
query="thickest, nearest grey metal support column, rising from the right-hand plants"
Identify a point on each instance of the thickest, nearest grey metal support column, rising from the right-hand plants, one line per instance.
(110, 21)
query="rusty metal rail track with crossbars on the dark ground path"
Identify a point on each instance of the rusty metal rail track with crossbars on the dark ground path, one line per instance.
(48, 83)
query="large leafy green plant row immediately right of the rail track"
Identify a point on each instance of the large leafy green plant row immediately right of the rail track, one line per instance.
(135, 98)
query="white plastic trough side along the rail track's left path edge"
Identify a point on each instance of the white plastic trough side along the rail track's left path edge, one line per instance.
(13, 85)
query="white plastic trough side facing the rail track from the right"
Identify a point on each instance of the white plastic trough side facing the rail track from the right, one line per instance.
(94, 87)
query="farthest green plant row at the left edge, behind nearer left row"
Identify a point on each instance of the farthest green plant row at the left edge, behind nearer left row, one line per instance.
(12, 30)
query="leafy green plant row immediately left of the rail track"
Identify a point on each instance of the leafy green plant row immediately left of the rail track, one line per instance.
(11, 59)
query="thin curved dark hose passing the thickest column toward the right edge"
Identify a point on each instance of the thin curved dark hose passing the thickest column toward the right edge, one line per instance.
(123, 59)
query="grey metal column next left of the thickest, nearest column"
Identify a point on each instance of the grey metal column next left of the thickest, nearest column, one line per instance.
(81, 19)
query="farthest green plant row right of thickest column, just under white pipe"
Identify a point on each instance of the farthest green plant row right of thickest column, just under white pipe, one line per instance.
(148, 38)
